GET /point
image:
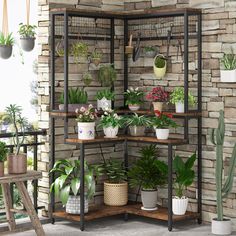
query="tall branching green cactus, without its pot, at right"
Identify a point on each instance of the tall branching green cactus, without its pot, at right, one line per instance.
(217, 138)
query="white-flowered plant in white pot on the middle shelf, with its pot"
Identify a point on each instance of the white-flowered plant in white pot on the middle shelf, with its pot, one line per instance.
(111, 122)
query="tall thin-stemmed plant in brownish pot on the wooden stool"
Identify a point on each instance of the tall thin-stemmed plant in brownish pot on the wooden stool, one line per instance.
(17, 162)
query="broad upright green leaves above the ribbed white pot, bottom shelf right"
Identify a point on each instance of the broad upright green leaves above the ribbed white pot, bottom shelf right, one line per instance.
(184, 174)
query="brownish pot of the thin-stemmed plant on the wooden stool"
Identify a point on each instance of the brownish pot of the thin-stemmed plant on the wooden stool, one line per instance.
(17, 164)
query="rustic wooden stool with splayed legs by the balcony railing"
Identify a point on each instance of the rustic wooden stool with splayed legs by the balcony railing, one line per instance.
(19, 180)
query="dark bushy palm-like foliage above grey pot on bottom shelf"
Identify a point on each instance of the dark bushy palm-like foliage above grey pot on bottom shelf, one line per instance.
(147, 171)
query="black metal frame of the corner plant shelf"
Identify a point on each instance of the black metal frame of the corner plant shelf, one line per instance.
(125, 17)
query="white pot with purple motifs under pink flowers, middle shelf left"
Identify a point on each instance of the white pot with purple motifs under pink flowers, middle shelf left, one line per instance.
(86, 130)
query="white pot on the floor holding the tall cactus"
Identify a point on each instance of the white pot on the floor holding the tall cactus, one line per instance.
(221, 227)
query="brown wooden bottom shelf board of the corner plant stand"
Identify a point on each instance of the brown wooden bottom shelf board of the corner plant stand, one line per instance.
(101, 211)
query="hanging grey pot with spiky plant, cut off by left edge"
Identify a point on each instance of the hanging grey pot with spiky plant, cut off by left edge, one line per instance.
(6, 44)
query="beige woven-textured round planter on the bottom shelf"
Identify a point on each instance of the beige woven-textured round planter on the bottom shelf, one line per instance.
(115, 194)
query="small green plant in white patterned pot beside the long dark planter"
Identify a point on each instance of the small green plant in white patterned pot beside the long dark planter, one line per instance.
(104, 99)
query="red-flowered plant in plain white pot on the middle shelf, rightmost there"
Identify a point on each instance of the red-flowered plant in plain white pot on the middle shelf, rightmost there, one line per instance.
(161, 123)
